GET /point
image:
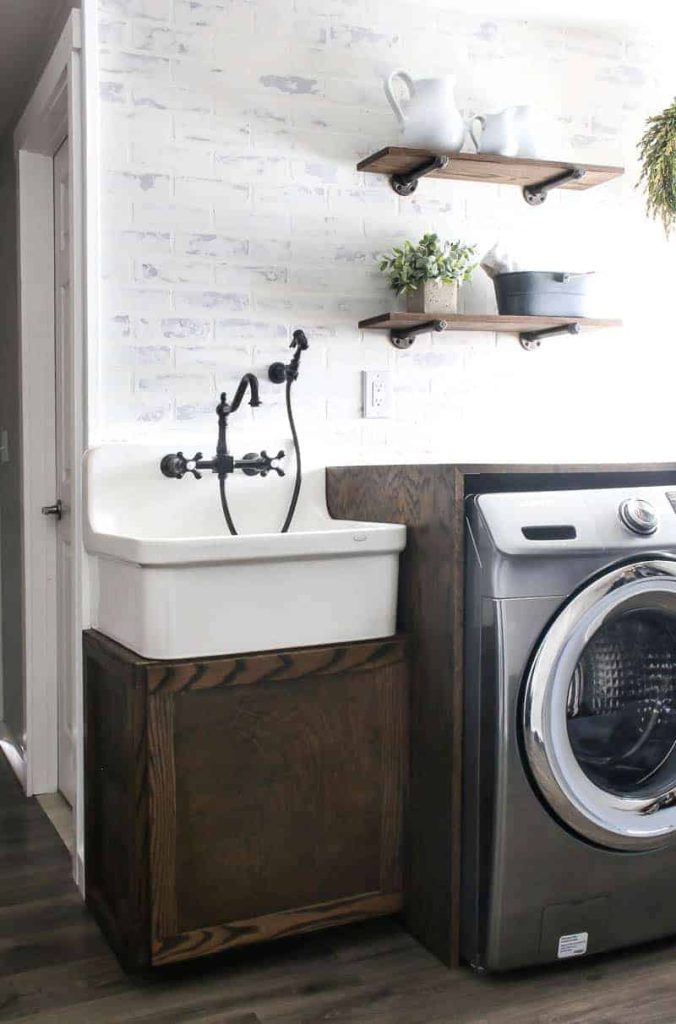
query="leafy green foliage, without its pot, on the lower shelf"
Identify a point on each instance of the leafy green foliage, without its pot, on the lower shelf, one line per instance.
(410, 266)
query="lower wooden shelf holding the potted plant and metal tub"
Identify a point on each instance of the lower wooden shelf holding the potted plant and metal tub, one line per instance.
(404, 327)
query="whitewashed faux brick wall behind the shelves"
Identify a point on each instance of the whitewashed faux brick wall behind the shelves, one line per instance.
(233, 214)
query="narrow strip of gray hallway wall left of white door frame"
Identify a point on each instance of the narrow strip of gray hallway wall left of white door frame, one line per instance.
(10, 473)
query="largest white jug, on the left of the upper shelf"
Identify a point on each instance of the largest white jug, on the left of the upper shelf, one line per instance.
(430, 118)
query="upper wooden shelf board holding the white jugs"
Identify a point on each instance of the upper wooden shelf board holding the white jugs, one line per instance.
(487, 167)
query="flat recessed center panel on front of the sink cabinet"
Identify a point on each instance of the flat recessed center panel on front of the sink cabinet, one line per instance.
(285, 794)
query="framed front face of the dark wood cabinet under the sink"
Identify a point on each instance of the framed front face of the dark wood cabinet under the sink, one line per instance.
(276, 805)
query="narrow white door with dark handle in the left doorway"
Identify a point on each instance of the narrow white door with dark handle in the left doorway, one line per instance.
(64, 447)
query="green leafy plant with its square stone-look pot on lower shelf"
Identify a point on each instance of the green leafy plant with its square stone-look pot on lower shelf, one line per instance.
(430, 273)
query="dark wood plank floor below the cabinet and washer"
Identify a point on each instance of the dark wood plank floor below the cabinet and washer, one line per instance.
(57, 969)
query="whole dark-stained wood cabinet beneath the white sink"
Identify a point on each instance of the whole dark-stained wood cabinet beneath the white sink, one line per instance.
(234, 800)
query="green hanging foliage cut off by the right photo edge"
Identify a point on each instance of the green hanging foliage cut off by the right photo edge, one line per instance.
(658, 153)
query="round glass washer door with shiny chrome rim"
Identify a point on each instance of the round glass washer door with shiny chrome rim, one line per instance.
(600, 709)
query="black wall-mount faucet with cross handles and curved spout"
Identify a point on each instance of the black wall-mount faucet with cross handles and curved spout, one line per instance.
(177, 465)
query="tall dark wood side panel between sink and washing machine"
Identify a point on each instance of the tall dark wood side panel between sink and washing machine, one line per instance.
(429, 500)
